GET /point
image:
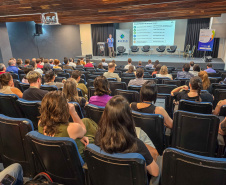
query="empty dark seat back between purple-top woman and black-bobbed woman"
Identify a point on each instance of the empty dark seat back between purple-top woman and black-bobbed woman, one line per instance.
(131, 96)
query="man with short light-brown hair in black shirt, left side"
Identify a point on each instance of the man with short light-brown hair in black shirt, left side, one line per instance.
(34, 93)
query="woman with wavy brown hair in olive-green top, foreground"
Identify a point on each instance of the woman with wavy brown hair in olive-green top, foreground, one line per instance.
(54, 121)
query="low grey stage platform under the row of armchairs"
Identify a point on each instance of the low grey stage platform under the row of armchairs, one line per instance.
(165, 59)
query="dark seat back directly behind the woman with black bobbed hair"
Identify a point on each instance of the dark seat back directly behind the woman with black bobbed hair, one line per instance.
(153, 126)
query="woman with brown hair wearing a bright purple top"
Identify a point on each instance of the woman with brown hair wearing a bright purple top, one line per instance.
(102, 92)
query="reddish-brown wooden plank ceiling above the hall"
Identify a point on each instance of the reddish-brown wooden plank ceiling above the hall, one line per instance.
(109, 11)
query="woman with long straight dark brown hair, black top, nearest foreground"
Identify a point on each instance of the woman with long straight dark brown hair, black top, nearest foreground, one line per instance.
(117, 122)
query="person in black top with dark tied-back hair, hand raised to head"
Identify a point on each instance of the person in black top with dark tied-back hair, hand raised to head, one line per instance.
(194, 94)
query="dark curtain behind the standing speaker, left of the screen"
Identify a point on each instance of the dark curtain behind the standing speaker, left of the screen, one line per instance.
(100, 33)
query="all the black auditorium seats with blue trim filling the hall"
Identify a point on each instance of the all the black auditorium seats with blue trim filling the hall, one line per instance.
(193, 152)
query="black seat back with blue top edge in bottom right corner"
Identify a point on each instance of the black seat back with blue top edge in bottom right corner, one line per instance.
(180, 168)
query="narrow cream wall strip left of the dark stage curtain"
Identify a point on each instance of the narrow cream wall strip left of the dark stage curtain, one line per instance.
(86, 39)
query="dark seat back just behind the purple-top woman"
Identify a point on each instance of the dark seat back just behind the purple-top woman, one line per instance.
(94, 112)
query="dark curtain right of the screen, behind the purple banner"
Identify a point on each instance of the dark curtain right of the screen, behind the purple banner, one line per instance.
(192, 37)
